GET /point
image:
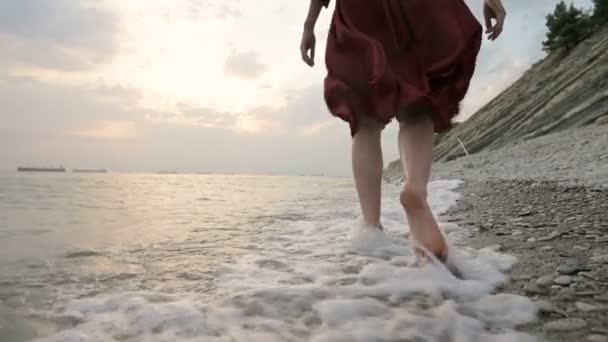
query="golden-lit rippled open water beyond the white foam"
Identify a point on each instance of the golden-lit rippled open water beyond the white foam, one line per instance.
(75, 235)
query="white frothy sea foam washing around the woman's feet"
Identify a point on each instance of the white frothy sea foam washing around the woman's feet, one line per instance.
(313, 281)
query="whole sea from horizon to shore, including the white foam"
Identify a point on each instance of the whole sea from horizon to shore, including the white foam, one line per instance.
(136, 257)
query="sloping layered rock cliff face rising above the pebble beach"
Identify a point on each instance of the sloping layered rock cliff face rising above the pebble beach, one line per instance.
(557, 93)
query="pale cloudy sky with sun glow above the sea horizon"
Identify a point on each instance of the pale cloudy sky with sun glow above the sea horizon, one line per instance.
(196, 85)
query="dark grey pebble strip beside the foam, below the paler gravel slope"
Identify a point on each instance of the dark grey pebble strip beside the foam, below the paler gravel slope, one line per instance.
(559, 233)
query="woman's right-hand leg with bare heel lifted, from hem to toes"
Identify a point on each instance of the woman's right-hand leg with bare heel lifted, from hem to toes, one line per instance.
(416, 150)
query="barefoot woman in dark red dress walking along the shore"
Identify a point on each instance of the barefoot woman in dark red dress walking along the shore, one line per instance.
(408, 59)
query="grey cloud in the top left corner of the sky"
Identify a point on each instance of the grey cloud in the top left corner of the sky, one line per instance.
(58, 34)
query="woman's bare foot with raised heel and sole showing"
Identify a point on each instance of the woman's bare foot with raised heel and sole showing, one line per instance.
(423, 227)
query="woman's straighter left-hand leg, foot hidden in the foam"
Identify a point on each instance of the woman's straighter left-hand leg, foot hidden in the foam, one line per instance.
(367, 169)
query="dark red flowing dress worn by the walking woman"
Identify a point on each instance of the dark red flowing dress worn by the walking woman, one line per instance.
(385, 55)
